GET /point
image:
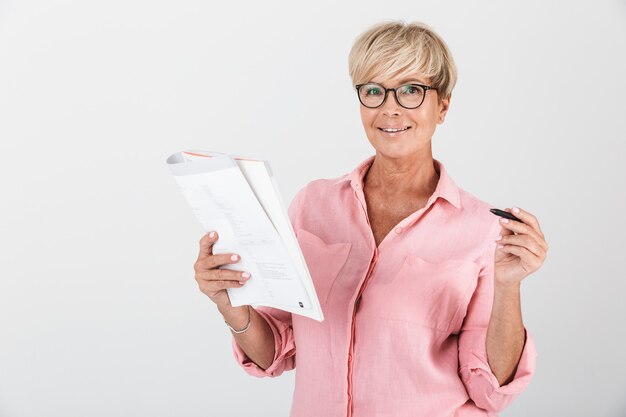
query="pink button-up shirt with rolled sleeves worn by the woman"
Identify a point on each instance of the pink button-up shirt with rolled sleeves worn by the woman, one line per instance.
(405, 323)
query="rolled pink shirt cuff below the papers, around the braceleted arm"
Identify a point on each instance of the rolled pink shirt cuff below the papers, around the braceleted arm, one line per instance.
(284, 350)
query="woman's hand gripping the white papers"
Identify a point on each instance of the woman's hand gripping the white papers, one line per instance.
(213, 280)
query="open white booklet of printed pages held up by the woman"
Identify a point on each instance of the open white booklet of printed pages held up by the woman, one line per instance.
(238, 198)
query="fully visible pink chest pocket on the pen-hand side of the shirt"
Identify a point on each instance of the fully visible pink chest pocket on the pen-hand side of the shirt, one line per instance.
(431, 294)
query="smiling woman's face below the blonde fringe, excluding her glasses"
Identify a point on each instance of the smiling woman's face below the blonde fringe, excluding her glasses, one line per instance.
(420, 123)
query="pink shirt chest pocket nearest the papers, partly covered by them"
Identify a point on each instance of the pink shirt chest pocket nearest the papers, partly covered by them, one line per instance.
(324, 260)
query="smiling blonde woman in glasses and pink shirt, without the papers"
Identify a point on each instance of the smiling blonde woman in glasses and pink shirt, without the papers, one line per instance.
(422, 309)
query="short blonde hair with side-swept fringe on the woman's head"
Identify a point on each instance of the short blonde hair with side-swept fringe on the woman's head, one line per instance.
(396, 48)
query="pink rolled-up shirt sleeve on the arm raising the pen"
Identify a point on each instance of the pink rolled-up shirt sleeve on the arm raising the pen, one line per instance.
(474, 370)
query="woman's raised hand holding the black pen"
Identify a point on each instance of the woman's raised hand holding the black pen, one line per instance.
(524, 248)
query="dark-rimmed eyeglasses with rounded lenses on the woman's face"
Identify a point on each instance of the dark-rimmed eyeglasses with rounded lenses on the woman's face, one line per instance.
(409, 96)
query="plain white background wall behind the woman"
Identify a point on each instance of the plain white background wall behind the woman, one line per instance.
(100, 314)
